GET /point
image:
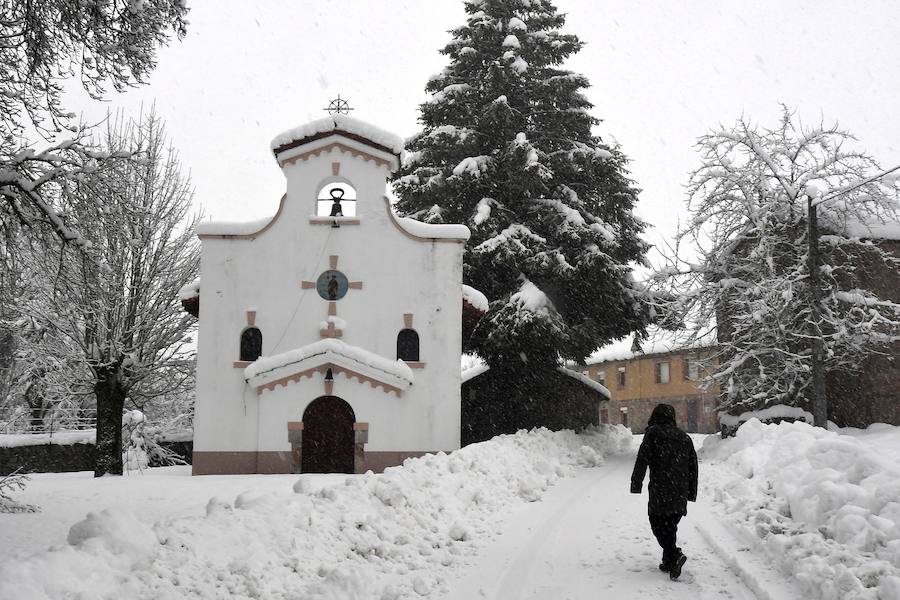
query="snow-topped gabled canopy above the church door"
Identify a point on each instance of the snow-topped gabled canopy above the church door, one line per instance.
(270, 368)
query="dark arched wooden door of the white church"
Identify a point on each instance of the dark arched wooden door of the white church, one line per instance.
(327, 436)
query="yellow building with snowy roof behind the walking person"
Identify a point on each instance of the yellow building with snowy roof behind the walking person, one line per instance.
(639, 378)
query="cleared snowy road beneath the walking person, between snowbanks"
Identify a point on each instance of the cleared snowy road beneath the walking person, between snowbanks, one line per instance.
(589, 538)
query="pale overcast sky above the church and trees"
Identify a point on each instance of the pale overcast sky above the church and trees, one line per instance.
(662, 74)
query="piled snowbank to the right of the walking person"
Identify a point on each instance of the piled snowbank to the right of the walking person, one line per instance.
(825, 507)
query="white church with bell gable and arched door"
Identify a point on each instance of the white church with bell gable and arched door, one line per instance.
(330, 333)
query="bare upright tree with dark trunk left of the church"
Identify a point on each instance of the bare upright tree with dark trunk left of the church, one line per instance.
(117, 299)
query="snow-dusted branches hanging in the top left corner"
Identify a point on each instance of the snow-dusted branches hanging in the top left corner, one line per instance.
(42, 45)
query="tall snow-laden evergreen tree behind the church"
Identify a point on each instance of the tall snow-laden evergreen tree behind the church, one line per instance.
(507, 149)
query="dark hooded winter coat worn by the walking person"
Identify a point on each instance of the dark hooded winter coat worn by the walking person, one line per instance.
(670, 454)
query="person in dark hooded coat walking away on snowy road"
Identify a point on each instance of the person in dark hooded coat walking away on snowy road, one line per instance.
(669, 453)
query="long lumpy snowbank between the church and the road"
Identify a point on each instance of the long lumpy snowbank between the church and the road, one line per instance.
(376, 536)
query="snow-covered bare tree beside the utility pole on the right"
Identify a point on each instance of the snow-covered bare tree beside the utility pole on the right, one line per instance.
(740, 270)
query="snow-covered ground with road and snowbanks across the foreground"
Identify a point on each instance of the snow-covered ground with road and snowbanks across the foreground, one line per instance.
(784, 512)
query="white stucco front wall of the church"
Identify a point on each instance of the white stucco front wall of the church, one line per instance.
(399, 274)
